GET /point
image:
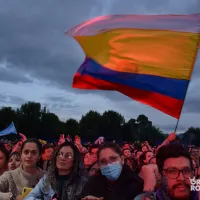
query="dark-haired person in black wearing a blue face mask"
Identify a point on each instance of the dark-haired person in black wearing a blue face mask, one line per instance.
(115, 181)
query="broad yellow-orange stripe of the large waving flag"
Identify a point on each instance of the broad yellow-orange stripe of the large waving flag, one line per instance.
(153, 52)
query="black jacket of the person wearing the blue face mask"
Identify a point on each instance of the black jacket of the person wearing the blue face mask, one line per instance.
(127, 187)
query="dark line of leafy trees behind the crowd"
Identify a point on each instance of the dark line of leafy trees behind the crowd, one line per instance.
(33, 120)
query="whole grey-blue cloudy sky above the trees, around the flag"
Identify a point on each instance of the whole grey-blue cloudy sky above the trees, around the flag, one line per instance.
(37, 62)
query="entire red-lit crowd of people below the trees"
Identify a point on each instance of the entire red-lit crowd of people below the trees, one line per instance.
(67, 170)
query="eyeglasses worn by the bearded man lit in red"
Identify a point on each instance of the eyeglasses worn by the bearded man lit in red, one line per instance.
(173, 173)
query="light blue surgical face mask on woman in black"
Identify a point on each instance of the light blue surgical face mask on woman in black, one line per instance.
(112, 171)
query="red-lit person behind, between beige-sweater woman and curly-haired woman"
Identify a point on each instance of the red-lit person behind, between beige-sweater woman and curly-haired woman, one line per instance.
(47, 154)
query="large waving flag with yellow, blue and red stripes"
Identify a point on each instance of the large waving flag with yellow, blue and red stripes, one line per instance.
(148, 58)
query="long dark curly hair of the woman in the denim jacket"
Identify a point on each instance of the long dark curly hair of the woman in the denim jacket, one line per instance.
(78, 170)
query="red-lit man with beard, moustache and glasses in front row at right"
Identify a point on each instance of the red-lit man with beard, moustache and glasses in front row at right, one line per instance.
(175, 167)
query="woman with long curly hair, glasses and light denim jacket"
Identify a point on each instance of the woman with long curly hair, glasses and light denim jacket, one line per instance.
(66, 176)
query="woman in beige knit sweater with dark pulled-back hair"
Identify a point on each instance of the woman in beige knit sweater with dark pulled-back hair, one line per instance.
(28, 174)
